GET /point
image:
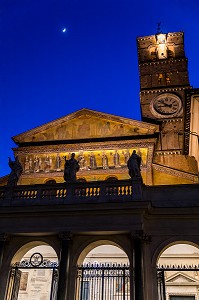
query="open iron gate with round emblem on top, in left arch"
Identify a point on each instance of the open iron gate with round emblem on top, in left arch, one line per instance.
(36, 261)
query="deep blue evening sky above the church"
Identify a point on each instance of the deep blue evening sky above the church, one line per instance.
(46, 73)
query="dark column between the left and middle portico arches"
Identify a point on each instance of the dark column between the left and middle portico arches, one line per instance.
(66, 238)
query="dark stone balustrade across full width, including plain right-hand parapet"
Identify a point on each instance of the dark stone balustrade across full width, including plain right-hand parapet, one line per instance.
(100, 192)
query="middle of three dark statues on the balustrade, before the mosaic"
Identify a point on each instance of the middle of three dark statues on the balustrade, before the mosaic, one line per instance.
(71, 167)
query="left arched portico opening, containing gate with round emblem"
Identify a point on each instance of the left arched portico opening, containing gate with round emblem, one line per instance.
(33, 270)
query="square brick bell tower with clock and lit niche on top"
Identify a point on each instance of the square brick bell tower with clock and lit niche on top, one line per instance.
(163, 82)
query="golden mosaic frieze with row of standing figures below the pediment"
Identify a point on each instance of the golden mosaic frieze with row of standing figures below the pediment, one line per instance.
(88, 160)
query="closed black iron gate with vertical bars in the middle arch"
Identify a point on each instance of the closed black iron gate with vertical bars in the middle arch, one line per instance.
(103, 282)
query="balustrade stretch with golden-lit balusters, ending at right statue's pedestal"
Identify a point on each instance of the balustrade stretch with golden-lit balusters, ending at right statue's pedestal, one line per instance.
(101, 191)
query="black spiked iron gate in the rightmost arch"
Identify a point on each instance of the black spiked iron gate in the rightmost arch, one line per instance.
(161, 276)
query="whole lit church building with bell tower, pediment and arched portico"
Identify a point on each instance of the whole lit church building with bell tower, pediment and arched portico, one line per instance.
(105, 206)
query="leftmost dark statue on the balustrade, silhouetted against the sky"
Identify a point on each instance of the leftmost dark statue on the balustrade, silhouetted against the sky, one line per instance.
(16, 171)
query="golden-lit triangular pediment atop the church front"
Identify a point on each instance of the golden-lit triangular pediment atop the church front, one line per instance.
(84, 124)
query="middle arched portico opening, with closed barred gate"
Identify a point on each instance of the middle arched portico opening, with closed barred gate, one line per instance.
(98, 259)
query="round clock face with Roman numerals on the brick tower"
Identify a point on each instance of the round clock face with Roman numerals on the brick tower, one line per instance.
(166, 105)
